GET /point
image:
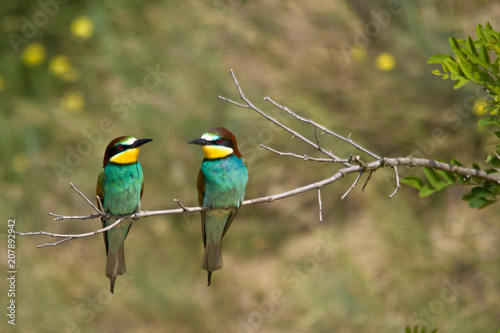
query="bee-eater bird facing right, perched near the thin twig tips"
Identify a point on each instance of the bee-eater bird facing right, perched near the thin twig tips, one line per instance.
(119, 186)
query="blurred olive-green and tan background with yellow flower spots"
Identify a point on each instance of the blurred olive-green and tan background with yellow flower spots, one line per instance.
(76, 74)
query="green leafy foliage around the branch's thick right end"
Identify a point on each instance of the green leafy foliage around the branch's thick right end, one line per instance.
(476, 65)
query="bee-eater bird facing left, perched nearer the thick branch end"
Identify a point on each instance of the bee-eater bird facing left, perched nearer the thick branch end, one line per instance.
(221, 184)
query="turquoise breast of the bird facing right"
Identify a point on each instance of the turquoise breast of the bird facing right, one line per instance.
(122, 188)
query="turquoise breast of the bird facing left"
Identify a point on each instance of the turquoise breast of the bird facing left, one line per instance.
(225, 182)
